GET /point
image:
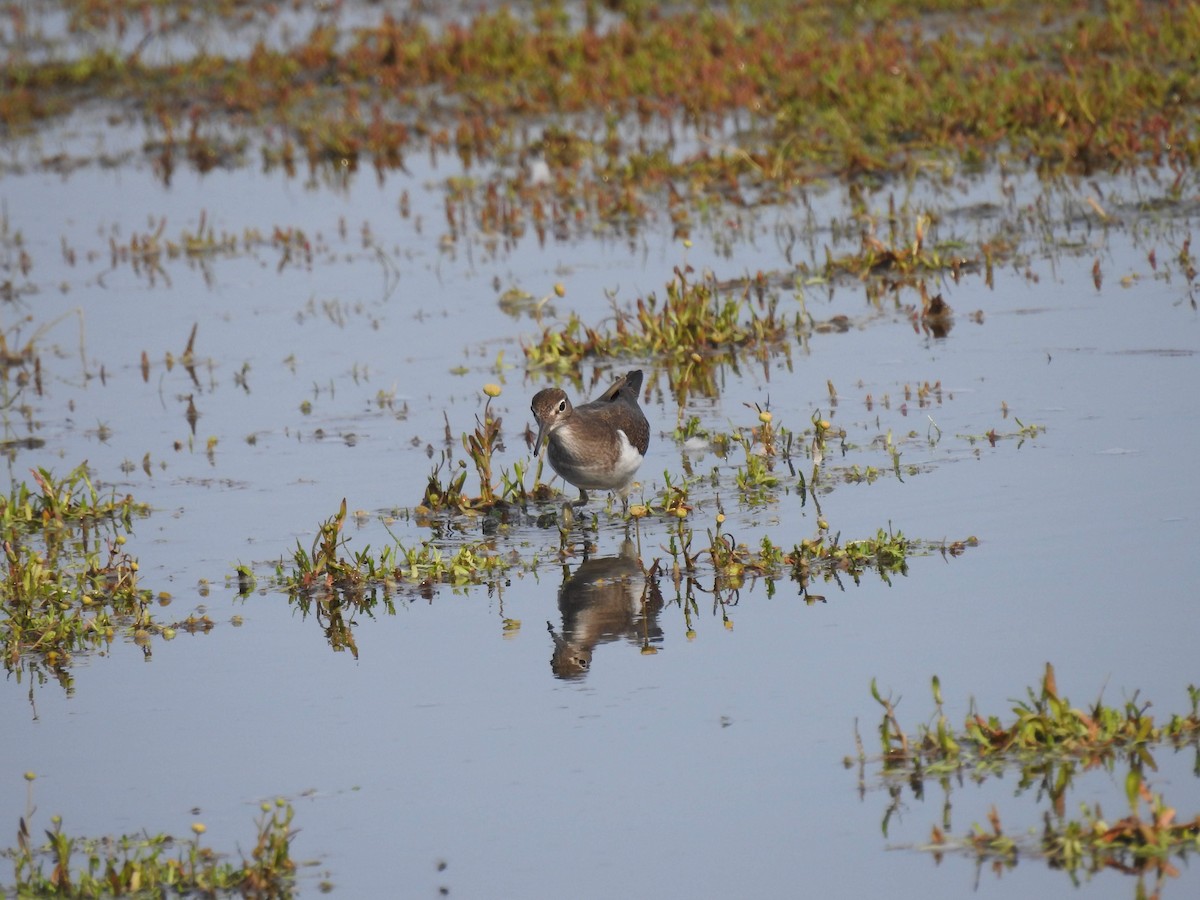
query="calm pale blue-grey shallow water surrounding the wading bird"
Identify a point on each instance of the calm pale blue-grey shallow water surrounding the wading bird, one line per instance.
(712, 767)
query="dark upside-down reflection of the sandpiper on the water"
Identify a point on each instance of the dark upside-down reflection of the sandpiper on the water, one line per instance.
(607, 599)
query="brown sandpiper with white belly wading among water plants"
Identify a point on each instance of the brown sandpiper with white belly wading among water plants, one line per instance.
(599, 446)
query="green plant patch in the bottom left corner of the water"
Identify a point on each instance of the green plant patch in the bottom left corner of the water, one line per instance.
(151, 866)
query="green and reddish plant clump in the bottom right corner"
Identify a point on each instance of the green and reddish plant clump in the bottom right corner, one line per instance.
(1049, 741)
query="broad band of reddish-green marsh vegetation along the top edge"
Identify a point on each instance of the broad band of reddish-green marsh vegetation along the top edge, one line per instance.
(872, 91)
